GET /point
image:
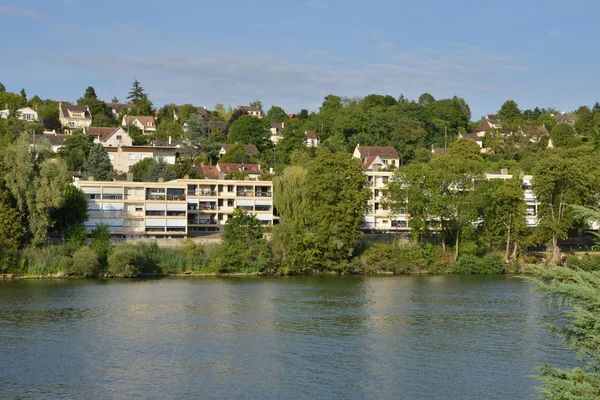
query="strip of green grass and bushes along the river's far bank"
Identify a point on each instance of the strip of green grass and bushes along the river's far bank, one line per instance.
(146, 259)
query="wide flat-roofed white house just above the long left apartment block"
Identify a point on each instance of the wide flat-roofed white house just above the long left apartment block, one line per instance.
(124, 157)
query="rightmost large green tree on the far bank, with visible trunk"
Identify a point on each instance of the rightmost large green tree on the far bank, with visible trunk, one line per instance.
(560, 179)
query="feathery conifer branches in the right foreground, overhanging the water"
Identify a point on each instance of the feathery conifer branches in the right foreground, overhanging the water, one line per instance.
(579, 291)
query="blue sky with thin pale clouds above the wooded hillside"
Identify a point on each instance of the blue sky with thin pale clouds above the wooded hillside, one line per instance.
(294, 53)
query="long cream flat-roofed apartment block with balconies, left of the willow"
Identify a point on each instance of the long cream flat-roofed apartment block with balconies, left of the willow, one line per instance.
(174, 209)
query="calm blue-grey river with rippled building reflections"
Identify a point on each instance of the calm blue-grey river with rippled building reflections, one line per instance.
(409, 337)
